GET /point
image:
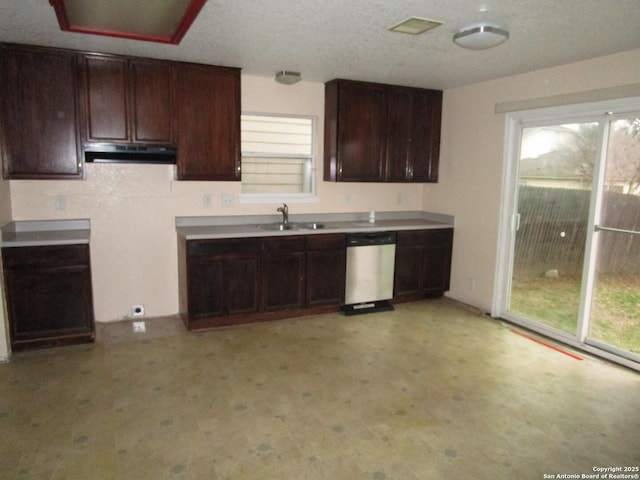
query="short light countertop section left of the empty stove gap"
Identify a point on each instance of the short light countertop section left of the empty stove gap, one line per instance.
(33, 233)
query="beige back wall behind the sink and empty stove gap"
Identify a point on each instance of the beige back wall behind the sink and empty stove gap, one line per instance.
(132, 208)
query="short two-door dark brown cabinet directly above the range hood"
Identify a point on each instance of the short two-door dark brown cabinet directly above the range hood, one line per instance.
(127, 100)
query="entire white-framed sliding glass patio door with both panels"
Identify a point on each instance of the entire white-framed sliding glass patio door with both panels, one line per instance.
(570, 242)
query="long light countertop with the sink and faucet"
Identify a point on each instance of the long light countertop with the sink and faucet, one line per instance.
(201, 228)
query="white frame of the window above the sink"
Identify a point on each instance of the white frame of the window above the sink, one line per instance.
(310, 197)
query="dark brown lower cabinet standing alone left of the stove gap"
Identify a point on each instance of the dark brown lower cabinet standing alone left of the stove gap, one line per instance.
(49, 295)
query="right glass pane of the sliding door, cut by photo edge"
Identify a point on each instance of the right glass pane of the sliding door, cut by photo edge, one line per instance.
(614, 314)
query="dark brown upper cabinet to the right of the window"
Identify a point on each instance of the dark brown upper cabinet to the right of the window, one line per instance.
(381, 133)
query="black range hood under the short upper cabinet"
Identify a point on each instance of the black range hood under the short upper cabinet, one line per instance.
(113, 153)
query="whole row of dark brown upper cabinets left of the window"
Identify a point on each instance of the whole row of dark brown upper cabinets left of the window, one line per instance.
(54, 101)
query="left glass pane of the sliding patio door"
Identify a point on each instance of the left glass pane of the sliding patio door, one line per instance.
(553, 194)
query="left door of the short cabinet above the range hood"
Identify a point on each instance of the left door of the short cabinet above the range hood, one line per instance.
(106, 98)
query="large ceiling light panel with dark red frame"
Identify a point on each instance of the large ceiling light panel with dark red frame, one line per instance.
(164, 21)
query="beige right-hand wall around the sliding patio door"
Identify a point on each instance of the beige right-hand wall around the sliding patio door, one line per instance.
(472, 159)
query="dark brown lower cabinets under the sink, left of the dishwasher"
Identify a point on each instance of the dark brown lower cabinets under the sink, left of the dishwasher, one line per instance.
(244, 280)
